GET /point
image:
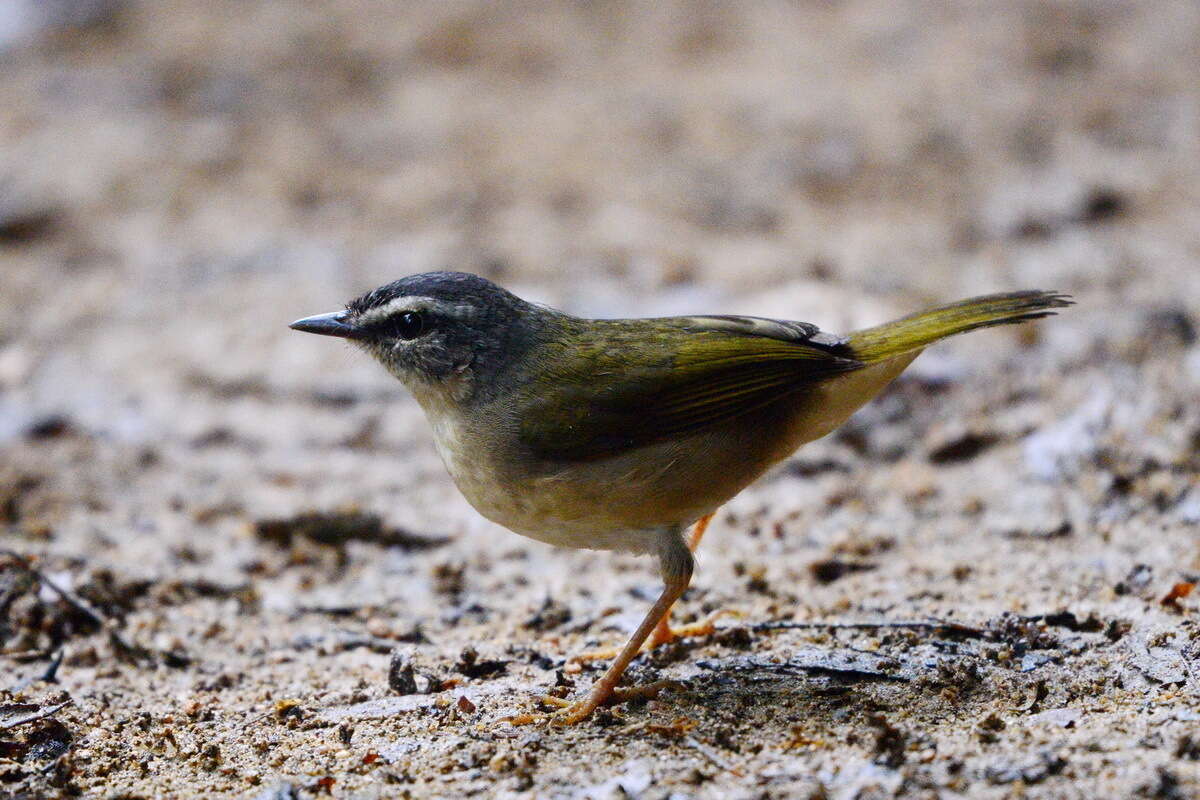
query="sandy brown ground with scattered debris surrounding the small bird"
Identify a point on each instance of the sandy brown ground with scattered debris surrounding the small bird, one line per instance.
(977, 588)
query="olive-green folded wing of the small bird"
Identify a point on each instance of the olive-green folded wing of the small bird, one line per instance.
(628, 384)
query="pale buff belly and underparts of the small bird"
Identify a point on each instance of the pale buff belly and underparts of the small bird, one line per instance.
(627, 502)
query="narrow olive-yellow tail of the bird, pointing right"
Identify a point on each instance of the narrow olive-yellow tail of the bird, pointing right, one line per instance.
(916, 332)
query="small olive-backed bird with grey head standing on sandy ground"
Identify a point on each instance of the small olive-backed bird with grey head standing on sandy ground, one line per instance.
(625, 435)
